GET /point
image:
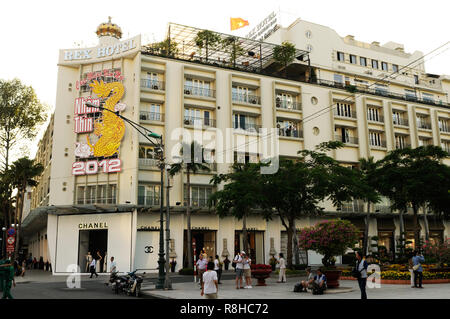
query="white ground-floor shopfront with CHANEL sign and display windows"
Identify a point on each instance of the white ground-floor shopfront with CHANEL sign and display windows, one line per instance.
(132, 238)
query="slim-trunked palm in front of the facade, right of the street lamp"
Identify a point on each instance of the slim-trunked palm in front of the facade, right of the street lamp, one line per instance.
(191, 164)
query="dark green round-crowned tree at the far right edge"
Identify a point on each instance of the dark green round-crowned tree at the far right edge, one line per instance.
(414, 178)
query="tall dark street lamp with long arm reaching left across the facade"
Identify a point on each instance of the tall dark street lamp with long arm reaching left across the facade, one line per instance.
(159, 148)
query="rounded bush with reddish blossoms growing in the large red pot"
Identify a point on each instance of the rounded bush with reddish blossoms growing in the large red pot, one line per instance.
(329, 238)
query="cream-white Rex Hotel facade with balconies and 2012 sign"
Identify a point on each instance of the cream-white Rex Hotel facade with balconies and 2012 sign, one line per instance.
(111, 204)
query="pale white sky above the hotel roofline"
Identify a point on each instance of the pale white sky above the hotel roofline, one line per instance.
(33, 32)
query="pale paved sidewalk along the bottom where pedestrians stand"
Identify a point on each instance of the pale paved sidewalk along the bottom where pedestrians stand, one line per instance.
(274, 290)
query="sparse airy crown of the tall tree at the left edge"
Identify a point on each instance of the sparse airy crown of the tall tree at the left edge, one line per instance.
(21, 113)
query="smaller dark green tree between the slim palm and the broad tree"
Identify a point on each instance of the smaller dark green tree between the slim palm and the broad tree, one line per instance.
(241, 193)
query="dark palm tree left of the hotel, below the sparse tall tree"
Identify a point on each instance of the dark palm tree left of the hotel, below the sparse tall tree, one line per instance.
(23, 171)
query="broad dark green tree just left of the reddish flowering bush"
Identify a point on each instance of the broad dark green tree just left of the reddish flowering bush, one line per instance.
(298, 188)
